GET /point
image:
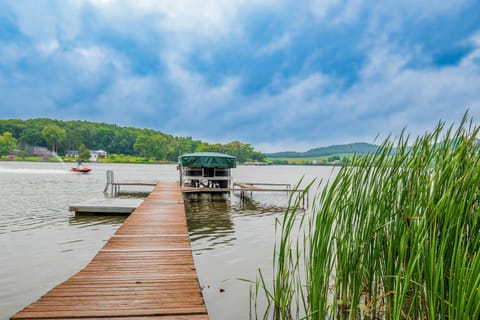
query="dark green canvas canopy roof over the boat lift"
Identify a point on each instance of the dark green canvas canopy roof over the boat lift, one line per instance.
(207, 160)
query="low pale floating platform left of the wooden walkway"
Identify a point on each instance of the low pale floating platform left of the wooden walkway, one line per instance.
(107, 206)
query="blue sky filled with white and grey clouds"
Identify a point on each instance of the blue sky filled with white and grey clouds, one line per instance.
(280, 75)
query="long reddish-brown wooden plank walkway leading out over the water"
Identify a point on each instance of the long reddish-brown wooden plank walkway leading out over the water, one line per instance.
(145, 271)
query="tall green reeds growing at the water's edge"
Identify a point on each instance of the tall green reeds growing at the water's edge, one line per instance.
(395, 235)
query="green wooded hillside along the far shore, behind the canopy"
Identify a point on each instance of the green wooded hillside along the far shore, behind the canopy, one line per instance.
(61, 136)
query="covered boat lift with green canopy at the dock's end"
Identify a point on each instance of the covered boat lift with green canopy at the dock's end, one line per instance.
(206, 170)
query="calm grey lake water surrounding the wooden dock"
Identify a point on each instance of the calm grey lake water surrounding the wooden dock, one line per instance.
(42, 244)
